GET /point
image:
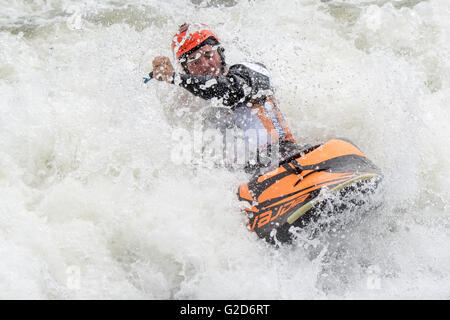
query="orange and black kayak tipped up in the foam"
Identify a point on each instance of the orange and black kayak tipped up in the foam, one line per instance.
(290, 195)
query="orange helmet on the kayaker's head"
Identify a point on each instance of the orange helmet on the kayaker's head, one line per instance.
(189, 37)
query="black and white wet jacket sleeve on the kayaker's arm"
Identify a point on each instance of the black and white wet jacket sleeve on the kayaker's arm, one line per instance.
(241, 84)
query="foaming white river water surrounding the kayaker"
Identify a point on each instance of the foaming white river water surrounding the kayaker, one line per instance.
(91, 205)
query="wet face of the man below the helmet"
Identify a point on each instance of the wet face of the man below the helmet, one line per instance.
(205, 61)
